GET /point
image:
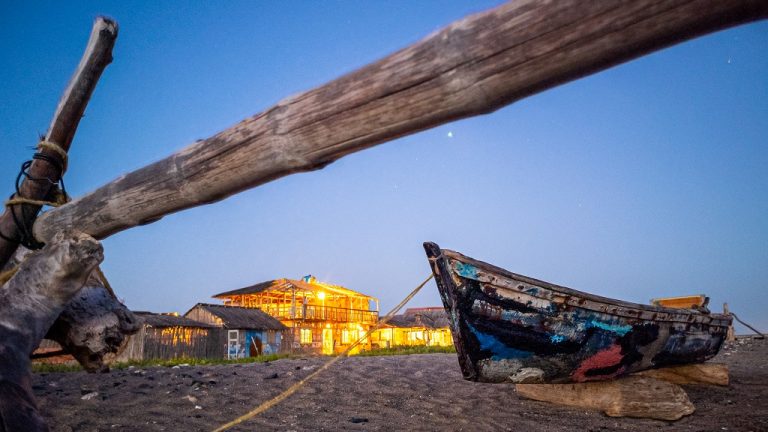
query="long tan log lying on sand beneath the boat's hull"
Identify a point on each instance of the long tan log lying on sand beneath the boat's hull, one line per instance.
(633, 396)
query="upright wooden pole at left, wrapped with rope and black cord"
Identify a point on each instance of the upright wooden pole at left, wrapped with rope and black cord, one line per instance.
(97, 55)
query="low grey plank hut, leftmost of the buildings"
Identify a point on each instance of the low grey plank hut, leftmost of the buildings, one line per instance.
(168, 336)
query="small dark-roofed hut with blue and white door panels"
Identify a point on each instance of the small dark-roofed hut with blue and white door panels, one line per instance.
(249, 332)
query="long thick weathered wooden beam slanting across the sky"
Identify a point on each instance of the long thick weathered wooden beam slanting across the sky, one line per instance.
(472, 67)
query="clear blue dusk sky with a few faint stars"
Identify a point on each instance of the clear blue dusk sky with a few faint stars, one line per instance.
(645, 180)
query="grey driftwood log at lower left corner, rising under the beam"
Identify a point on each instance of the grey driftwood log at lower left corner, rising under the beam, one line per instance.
(29, 303)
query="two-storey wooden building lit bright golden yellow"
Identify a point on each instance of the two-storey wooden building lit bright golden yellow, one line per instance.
(322, 318)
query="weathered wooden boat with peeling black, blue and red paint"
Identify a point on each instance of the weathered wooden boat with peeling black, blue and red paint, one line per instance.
(512, 328)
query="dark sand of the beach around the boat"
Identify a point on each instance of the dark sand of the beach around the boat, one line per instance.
(416, 392)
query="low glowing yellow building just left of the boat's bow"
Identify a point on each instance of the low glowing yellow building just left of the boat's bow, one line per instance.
(428, 326)
